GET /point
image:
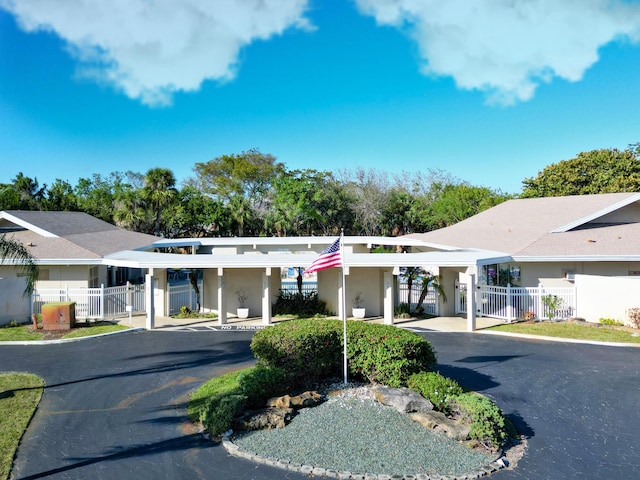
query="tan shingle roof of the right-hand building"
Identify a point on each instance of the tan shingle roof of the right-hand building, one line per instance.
(524, 227)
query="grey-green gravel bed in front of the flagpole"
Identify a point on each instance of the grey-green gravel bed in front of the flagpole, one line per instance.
(352, 432)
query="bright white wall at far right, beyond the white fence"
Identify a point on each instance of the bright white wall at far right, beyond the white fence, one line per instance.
(606, 297)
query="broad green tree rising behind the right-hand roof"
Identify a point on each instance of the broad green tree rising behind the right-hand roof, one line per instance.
(597, 171)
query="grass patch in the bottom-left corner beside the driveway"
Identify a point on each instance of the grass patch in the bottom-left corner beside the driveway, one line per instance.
(19, 397)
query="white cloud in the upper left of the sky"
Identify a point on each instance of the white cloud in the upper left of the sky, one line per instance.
(151, 49)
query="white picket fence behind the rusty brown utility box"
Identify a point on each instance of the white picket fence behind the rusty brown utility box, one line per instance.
(93, 303)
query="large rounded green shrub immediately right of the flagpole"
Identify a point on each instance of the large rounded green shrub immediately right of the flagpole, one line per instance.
(386, 354)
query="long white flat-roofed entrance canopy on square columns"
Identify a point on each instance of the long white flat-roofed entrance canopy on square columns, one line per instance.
(254, 265)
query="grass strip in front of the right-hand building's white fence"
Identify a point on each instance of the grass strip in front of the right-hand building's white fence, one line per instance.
(595, 332)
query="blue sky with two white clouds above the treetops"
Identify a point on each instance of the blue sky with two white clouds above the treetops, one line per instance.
(490, 91)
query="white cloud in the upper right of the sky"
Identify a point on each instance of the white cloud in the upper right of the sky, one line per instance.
(507, 48)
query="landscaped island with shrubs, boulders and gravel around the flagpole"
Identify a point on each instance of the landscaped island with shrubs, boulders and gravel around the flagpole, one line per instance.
(436, 427)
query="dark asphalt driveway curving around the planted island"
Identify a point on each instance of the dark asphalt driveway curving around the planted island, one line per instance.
(115, 407)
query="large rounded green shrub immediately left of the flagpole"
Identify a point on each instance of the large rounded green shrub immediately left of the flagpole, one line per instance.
(305, 349)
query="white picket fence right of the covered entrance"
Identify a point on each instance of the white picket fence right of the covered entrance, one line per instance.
(511, 303)
